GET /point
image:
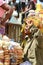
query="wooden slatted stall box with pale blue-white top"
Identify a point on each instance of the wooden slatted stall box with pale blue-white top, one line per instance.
(13, 28)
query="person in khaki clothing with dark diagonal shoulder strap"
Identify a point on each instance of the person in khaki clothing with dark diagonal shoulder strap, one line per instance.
(33, 49)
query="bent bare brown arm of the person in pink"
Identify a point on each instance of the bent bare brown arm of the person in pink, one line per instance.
(8, 11)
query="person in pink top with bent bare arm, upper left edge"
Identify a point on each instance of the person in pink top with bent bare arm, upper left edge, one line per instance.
(5, 14)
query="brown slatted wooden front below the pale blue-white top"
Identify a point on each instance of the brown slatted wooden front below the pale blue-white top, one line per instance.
(13, 31)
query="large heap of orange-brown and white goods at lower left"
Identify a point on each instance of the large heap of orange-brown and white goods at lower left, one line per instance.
(10, 54)
